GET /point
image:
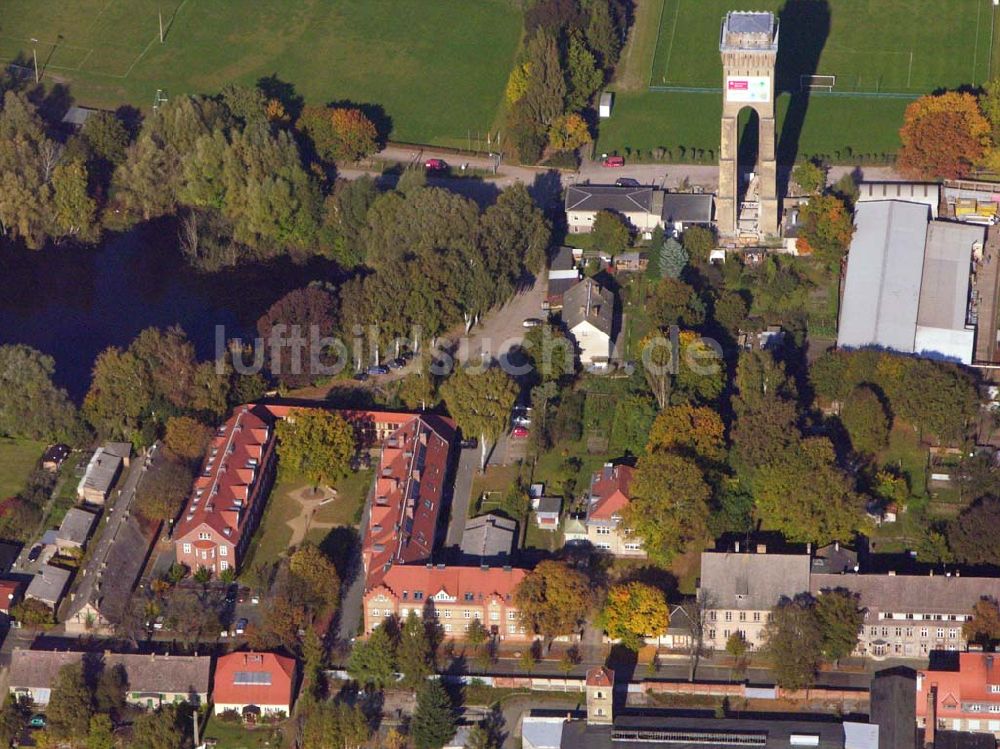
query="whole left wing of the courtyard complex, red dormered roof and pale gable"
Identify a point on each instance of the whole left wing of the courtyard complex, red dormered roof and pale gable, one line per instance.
(229, 493)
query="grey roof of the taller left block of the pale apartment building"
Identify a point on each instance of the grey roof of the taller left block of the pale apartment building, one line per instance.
(753, 582)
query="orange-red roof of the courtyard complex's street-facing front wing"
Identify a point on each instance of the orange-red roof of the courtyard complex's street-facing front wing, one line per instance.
(456, 582)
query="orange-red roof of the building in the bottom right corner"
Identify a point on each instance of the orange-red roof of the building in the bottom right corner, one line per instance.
(971, 683)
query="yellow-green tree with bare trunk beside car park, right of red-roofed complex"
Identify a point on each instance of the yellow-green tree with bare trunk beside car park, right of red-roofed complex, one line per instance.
(480, 403)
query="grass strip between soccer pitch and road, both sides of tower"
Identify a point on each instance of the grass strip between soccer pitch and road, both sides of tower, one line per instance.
(686, 126)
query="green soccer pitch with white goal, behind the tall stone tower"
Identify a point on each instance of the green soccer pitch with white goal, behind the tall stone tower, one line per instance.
(905, 46)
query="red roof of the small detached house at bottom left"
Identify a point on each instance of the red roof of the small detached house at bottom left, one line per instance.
(280, 669)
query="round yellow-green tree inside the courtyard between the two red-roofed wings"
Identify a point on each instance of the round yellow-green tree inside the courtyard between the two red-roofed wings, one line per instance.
(316, 444)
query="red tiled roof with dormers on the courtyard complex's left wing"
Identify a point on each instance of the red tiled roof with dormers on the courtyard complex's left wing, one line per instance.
(224, 487)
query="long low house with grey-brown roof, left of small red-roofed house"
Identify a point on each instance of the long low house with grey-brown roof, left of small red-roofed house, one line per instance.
(153, 680)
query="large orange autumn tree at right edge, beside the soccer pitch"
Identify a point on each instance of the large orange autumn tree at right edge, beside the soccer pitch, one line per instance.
(943, 137)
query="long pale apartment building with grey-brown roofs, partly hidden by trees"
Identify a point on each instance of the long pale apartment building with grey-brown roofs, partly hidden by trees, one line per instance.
(905, 616)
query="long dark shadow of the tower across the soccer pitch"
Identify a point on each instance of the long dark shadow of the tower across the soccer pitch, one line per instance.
(805, 27)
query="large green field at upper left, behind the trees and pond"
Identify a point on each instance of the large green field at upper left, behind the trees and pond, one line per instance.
(436, 67)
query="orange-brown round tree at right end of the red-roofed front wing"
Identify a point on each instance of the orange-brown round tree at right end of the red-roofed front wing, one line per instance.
(553, 599)
